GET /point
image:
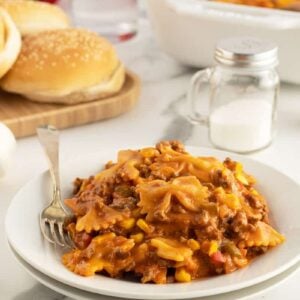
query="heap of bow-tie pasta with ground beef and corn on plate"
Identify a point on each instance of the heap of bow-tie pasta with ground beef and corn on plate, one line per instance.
(165, 216)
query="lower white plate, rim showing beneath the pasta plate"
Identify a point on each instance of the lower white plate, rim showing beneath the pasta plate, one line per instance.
(77, 294)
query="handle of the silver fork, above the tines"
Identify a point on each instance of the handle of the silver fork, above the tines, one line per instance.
(49, 138)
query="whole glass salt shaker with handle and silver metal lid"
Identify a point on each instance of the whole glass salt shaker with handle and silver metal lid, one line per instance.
(243, 92)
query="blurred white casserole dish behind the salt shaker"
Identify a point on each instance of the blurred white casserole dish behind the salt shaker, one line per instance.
(189, 29)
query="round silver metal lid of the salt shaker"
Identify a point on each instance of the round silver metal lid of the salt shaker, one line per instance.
(246, 52)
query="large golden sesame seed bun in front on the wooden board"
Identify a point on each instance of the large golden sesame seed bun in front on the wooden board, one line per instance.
(65, 66)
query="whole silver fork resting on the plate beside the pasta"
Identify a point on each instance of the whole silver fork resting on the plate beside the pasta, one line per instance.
(54, 217)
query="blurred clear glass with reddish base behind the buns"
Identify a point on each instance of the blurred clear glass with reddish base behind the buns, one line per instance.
(115, 19)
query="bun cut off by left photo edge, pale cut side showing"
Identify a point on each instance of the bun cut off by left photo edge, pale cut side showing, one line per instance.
(10, 42)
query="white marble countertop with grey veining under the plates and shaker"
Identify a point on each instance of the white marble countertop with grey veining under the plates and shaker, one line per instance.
(157, 116)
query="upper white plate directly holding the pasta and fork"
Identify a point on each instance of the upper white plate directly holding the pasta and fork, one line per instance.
(24, 235)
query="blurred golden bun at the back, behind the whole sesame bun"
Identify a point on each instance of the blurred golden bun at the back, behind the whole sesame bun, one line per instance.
(35, 16)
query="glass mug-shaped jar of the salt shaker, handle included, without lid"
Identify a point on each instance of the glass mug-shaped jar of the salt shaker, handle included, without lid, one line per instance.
(242, 106)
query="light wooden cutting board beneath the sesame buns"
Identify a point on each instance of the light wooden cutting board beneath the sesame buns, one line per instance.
(23, 116)
